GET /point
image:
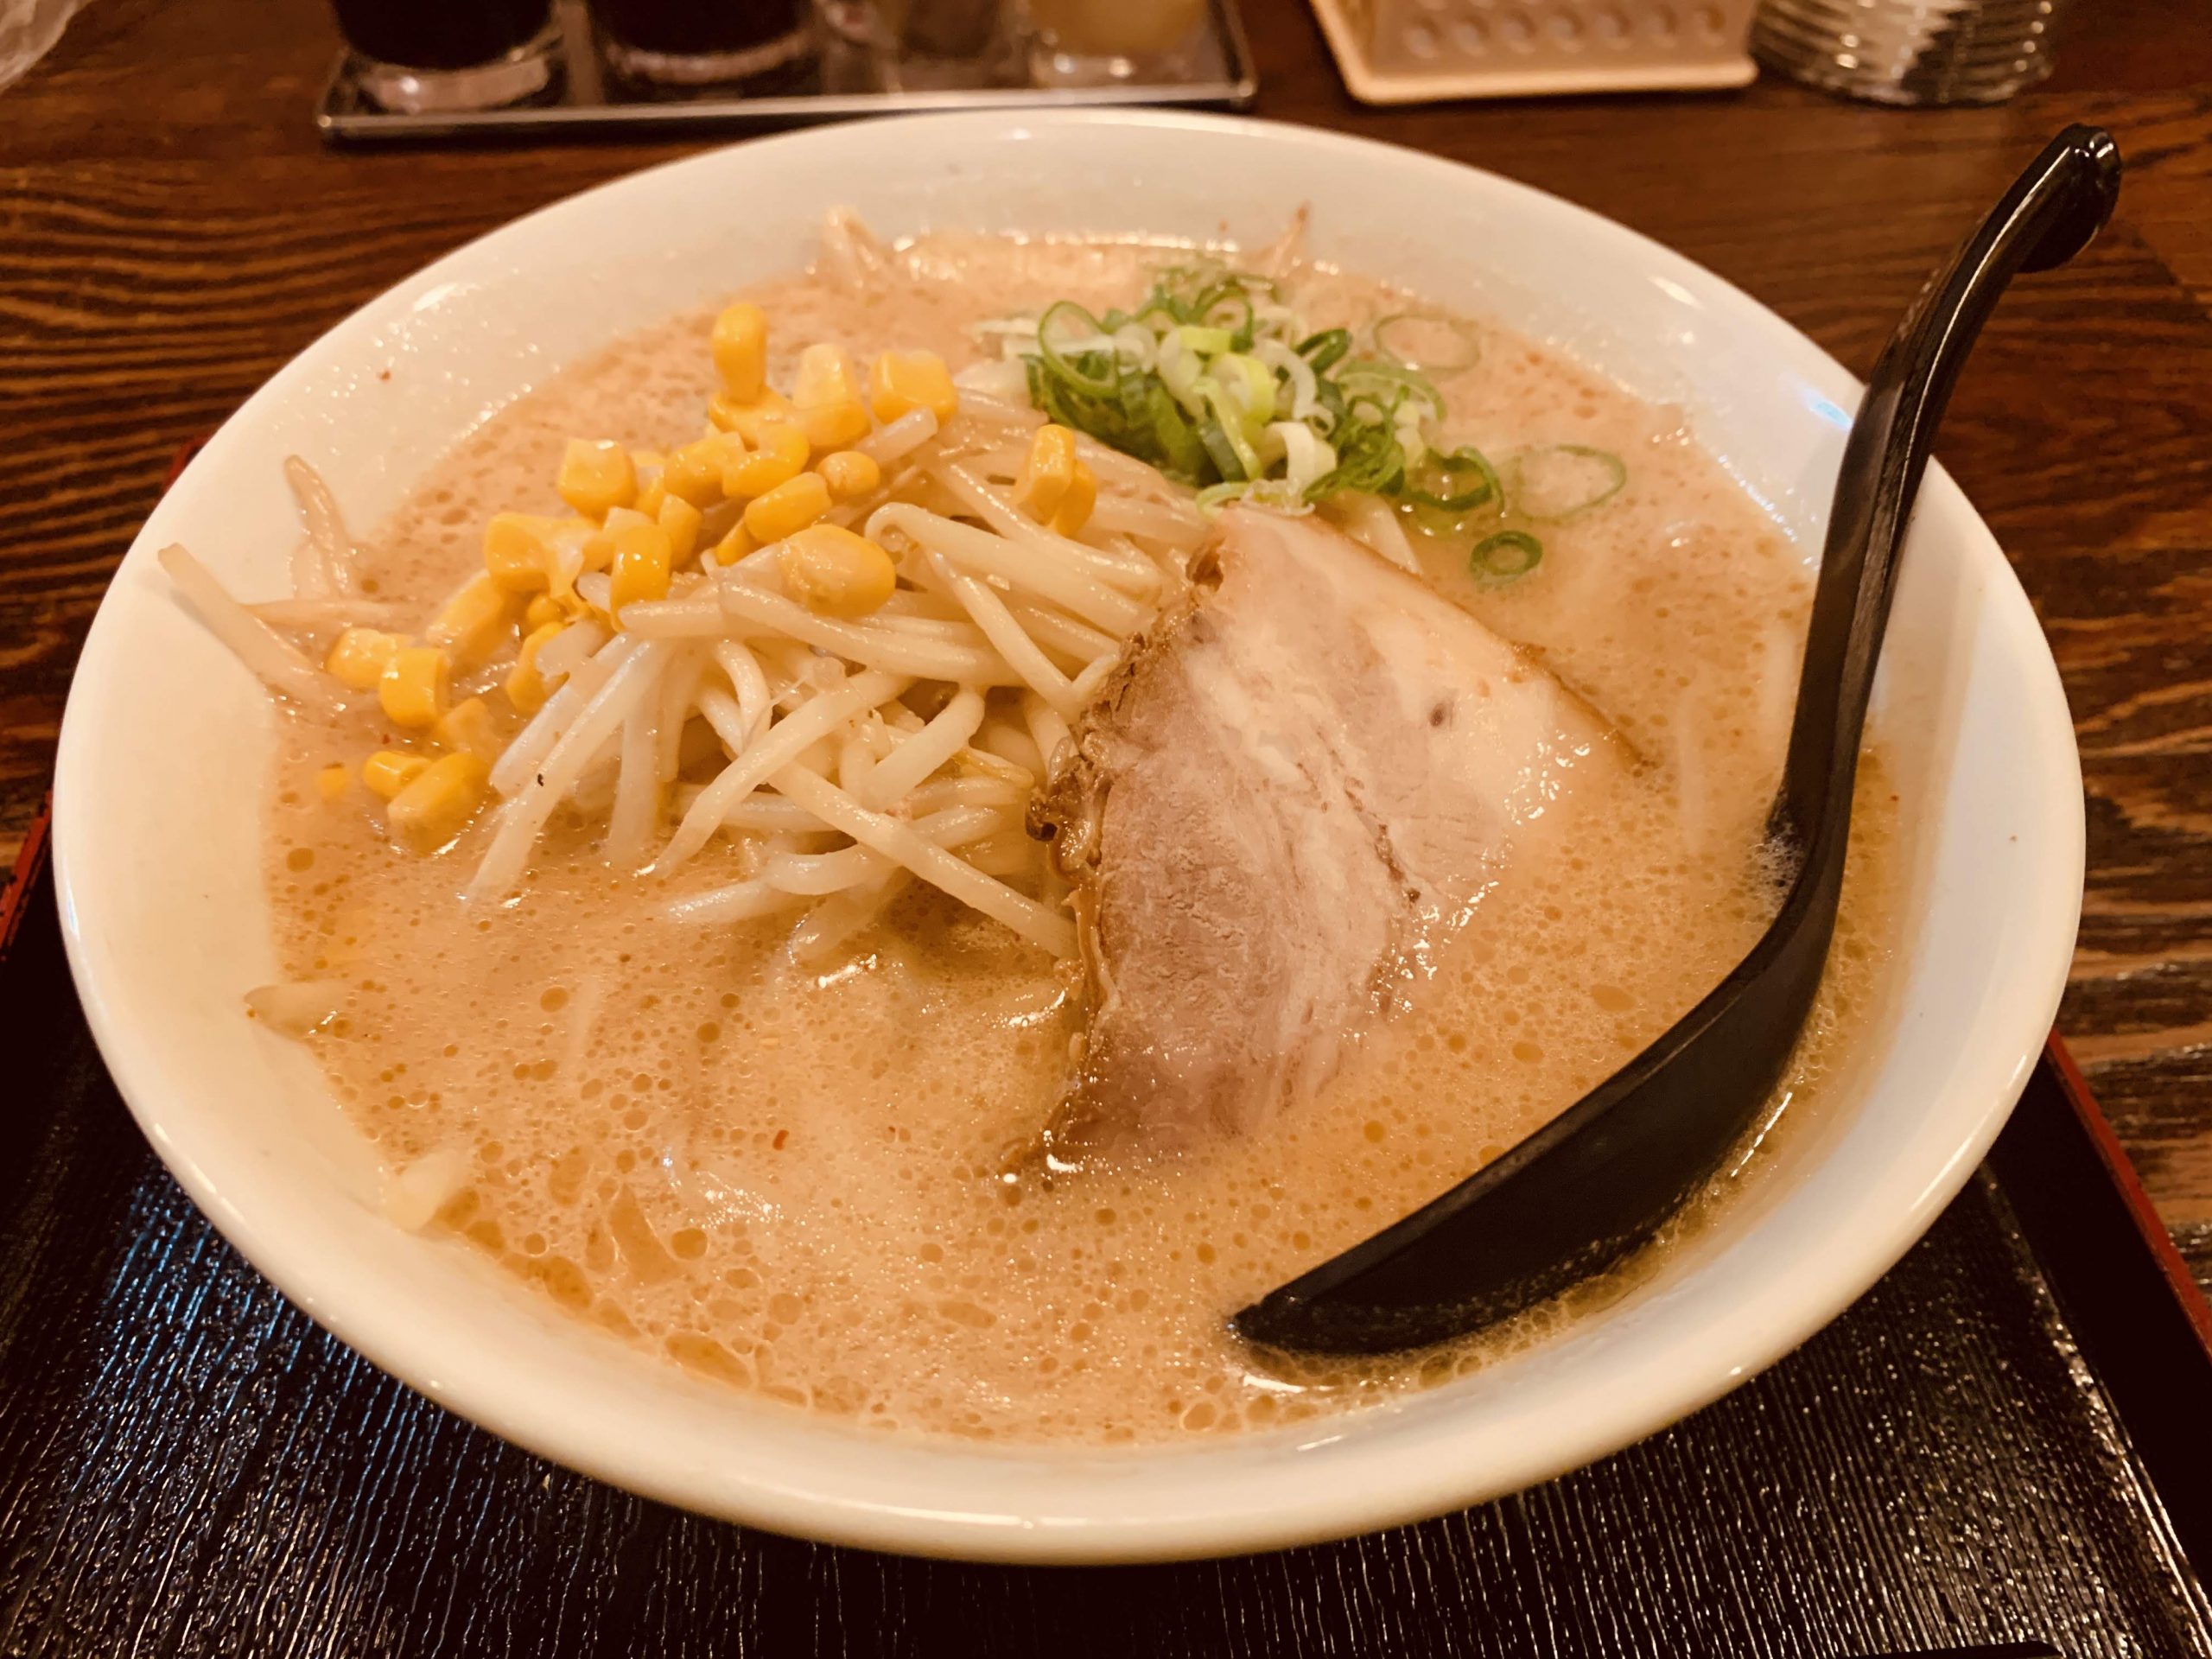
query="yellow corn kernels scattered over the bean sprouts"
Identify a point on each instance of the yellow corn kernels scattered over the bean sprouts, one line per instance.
(780, 461)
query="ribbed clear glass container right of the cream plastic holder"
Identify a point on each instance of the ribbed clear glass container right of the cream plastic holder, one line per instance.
(1914, 52)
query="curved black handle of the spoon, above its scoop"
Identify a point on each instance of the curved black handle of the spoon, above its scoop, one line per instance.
(2047, 218)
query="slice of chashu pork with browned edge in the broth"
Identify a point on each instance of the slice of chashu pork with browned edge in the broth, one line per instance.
(1293, 791)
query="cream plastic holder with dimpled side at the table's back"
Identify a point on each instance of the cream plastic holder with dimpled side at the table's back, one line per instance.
(1417, 52)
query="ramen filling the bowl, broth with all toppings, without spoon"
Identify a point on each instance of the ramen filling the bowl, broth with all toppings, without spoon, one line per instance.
(866, 839)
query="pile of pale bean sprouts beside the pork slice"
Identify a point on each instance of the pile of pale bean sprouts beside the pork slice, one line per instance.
(828, 762)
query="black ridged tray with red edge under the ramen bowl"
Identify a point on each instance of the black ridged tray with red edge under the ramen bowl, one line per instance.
(2003, 1441)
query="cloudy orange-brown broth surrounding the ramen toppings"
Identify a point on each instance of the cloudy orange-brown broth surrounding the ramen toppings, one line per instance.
(808, 1178)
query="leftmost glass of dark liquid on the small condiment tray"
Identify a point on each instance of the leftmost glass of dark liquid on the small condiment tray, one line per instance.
(419, 56)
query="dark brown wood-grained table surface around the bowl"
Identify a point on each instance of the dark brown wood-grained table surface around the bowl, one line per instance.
(171, 231)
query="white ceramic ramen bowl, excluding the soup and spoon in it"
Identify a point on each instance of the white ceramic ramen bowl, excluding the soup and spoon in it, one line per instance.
(165, 751)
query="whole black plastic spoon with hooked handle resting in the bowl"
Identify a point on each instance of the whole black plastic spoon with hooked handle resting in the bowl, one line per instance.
(1605, 1176)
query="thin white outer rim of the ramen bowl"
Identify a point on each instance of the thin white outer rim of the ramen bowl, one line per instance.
(1406, 1483)
